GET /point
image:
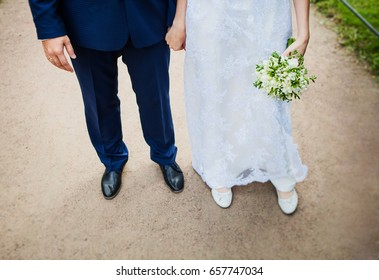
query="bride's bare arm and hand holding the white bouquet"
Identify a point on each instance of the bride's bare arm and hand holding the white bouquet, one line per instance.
(303, 34)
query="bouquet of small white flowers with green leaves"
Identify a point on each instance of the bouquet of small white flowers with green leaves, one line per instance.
(283, 77)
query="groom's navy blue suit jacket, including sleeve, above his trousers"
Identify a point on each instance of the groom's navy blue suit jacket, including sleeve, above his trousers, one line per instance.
(104, 24)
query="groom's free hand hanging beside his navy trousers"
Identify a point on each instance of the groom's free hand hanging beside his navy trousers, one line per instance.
(54, 51)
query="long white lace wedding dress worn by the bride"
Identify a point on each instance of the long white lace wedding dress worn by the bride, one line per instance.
(238, 134)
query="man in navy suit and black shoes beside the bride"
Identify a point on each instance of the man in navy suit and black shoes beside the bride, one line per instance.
(95, 34)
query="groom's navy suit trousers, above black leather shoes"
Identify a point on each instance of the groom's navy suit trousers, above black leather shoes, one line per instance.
(148, 67)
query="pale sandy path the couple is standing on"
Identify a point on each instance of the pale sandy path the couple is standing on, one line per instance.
(51, 205)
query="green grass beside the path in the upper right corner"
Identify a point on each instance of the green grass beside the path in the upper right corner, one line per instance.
(353, 34)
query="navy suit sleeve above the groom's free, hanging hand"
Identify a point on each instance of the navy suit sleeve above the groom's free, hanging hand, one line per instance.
(46, 17)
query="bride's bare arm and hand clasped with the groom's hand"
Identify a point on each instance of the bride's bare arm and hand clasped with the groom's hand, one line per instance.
(176, 36)
